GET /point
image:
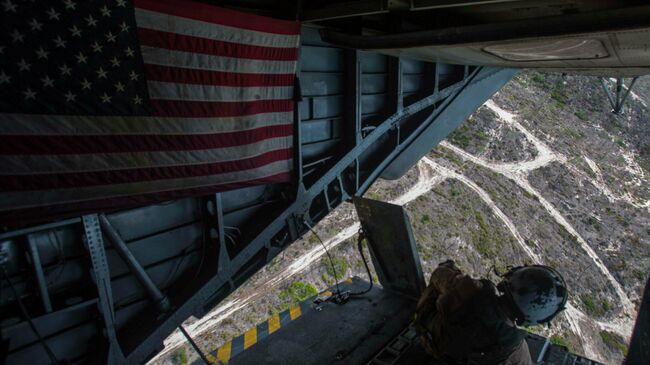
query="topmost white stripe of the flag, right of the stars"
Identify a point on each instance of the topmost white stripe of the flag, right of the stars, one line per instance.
(196, 28)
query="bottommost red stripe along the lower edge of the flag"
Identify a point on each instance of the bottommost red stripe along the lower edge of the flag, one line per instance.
(22, 217)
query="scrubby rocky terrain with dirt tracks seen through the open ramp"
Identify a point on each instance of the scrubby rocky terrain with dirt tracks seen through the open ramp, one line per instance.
(542, 173)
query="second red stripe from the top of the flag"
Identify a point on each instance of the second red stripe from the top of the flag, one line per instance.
(185, 43)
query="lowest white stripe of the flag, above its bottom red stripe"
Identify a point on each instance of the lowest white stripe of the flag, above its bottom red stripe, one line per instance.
(29, 199)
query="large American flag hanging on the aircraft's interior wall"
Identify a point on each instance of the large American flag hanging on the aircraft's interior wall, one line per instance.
(109, 104)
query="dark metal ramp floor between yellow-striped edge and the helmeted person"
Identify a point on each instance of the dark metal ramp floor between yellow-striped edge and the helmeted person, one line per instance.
(351, 333)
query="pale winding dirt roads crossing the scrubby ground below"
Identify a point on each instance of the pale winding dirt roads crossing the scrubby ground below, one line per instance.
(431, 174)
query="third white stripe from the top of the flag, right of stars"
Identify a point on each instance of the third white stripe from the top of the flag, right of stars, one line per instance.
(176, 91)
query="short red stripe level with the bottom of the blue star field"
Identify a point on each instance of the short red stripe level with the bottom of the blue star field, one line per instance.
(205, 109)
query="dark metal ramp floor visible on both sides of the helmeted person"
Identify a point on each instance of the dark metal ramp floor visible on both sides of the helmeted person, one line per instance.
(370, 329)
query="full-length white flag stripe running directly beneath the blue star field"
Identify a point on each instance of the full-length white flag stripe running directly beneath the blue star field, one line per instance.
(41, 124)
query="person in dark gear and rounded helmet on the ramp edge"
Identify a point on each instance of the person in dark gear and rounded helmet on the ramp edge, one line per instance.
(467, 321)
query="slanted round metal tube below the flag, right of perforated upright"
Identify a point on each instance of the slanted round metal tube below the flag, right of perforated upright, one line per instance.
(154, 293)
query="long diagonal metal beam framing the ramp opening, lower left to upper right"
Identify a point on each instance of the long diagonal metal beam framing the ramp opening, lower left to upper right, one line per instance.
(219, 286)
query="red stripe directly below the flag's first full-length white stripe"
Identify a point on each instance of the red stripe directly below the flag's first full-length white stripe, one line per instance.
(46, 145)
